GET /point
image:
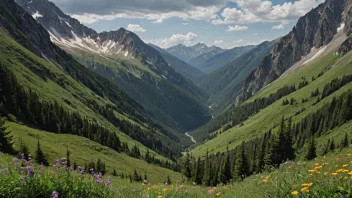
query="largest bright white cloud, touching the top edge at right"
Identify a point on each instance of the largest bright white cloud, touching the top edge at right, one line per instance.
(253, 11)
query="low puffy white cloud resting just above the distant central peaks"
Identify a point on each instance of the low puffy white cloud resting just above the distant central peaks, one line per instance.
(187, 39)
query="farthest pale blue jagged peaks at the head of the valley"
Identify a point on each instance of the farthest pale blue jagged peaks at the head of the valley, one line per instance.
(187, 53)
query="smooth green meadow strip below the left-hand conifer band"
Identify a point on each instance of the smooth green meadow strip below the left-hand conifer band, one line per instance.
(84, 151)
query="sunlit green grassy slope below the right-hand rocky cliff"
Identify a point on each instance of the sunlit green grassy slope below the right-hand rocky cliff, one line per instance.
(269, 117)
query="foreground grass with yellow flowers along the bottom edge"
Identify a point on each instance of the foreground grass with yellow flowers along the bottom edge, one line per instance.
(325, 176)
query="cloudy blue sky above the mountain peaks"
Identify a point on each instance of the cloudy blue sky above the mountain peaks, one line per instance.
(223, 23)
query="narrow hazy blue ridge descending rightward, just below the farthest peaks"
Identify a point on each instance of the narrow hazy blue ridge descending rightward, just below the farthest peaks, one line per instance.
(180, 66)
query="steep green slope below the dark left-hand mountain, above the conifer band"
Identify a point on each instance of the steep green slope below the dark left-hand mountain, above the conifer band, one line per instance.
(72, 96)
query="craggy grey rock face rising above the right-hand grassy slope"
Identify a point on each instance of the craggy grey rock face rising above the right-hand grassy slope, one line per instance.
(314, 30)
